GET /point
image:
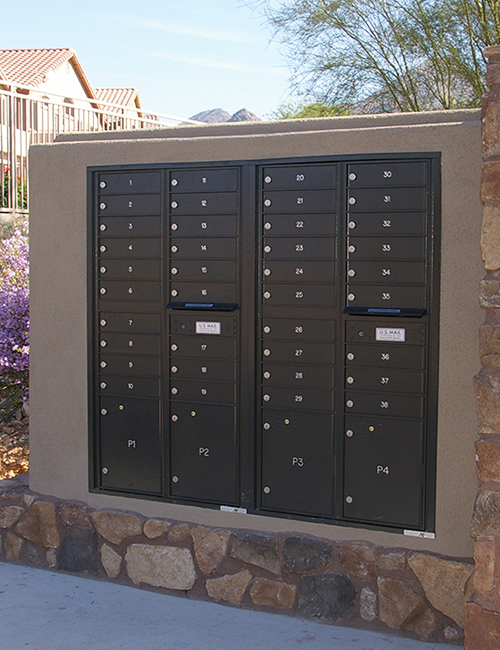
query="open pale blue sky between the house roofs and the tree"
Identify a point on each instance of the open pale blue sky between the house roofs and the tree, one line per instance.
(184, 57)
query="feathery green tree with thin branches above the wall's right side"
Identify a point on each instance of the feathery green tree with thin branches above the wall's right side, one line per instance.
(386, 55)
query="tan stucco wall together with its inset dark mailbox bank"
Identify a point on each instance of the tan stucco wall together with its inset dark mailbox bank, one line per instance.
(261, 328)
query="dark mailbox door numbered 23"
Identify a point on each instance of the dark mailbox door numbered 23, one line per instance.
(300, 248)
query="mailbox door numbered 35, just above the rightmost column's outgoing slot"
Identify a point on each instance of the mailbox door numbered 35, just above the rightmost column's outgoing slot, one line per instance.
(386, 296)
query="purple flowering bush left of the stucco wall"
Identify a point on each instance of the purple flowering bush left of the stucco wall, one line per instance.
(14, 321)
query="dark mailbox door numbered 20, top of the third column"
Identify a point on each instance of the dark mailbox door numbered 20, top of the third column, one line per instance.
(291, 177)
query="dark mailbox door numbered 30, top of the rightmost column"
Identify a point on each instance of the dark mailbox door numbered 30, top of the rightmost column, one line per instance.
(387, 174)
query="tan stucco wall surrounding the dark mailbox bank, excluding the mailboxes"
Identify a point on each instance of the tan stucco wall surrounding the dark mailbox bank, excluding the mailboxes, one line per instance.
(59, 432)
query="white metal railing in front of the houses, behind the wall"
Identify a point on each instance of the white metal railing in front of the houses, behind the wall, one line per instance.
(26, 118)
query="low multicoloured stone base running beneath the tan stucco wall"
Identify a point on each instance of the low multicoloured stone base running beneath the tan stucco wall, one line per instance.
(349, 583)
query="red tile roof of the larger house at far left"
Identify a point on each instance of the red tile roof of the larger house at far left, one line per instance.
(31, 67)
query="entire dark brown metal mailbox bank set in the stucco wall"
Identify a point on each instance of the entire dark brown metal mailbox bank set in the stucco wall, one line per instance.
(265, 336)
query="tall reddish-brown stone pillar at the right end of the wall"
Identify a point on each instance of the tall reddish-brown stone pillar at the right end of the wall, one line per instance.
(483, 609)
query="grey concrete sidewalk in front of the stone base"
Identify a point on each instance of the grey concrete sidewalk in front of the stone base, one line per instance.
(41, 610)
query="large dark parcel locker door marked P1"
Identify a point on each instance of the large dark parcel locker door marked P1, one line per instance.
(129, 445)
